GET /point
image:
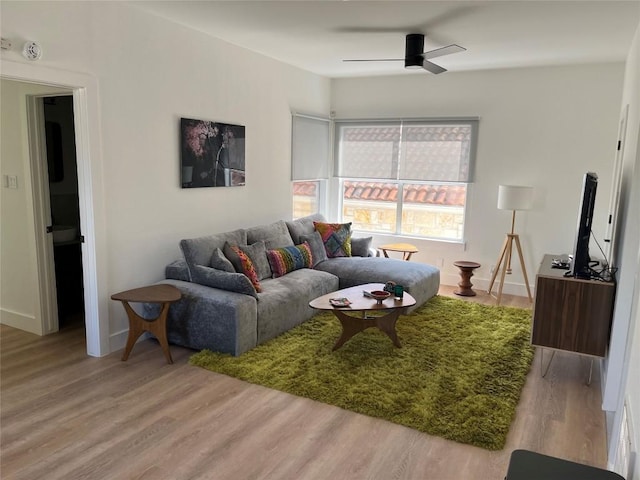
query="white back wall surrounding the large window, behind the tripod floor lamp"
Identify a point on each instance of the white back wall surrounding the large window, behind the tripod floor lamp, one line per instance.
(543, 127)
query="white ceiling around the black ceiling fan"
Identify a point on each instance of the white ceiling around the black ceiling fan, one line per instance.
(316, 35)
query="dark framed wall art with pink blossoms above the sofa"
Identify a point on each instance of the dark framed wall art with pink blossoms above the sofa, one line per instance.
(212, 154)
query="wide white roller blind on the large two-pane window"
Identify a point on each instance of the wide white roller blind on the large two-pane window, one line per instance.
(422, 150)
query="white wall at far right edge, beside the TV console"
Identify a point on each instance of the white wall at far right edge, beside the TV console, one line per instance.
(623, 384)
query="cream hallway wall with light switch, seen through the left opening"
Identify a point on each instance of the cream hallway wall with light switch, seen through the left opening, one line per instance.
(19, 301)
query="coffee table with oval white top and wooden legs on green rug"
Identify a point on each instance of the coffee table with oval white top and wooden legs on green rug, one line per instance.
(361, 306)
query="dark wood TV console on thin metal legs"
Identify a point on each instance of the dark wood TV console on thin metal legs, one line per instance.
(571, 314)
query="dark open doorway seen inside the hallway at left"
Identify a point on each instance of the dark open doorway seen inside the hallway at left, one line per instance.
(62, 176)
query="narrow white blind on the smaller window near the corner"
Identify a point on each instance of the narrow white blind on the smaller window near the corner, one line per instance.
(311, 140)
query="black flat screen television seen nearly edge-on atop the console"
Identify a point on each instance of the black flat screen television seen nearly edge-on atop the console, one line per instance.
(581, 259)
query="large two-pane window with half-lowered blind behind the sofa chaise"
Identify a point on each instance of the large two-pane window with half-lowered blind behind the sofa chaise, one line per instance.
(406, 177)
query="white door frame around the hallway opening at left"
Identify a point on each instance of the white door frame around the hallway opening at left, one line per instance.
(90, 195)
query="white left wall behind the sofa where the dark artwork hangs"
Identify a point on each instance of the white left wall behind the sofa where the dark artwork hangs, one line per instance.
(150, 73)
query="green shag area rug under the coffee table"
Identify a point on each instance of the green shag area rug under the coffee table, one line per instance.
(458, 375)
